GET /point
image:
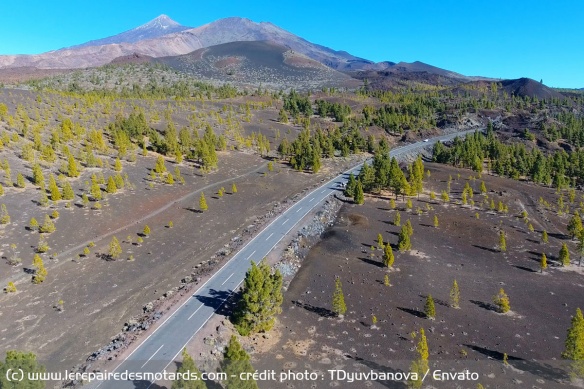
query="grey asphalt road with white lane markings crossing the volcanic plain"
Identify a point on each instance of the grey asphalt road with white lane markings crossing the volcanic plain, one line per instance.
(161, 347)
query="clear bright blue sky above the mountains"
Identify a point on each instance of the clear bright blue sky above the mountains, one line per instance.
(503, 39)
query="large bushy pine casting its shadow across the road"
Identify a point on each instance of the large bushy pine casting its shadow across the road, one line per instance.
(261, 299)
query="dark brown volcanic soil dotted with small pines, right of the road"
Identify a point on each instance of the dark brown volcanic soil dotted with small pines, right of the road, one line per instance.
(473, 337)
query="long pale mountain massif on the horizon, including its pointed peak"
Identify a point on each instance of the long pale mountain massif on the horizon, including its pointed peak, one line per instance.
(147, 40)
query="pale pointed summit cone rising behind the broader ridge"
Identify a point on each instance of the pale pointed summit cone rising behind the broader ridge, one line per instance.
(160, 26)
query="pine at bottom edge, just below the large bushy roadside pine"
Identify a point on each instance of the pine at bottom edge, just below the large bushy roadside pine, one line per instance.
(235, 362)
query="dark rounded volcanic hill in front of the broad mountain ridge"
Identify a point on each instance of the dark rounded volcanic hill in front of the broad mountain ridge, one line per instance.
(266, 63)
